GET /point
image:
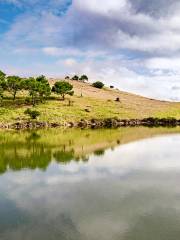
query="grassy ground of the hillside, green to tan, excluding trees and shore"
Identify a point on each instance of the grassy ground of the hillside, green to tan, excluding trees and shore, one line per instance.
(94, 103)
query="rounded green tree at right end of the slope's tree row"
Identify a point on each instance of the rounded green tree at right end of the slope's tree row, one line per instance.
(63, 88)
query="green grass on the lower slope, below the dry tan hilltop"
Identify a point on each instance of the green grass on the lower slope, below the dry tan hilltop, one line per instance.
(58, 111)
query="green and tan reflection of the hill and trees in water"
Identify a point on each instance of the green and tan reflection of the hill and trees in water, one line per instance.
(36, 150)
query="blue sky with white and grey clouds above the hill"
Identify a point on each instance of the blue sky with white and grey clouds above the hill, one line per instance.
(131, 44)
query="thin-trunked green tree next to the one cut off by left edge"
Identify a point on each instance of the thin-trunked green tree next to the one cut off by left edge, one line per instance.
(14, 84)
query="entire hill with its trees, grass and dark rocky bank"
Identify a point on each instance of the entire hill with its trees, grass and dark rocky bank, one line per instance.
(73, 102)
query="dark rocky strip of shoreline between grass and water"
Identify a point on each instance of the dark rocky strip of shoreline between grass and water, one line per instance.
(95, 123)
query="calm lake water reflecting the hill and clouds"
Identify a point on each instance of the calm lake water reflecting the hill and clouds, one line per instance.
(90, 185)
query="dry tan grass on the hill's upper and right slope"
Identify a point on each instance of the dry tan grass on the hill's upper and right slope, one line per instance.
(136, 105)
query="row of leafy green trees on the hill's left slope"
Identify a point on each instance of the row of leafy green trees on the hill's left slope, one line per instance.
(38, 88)
